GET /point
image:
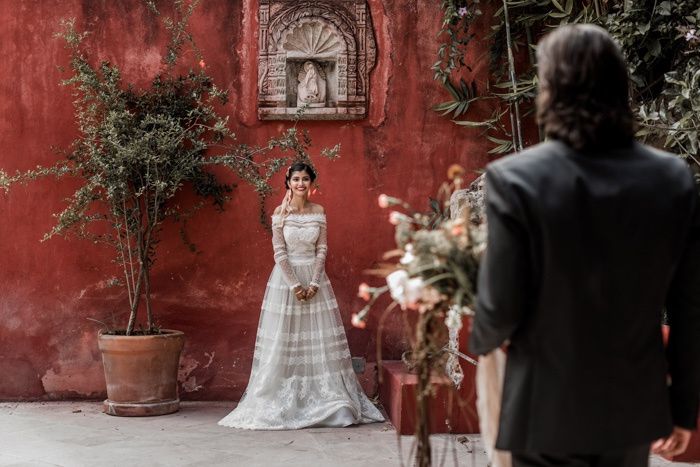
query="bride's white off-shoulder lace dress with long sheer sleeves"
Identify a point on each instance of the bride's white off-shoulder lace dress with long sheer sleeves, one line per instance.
(302, 375)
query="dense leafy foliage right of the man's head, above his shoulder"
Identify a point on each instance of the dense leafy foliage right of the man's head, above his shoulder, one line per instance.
(662, 46)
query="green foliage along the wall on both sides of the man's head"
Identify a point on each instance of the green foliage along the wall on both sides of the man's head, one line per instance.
(659, 39)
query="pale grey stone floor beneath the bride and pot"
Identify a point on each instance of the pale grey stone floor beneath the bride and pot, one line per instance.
(78, 434)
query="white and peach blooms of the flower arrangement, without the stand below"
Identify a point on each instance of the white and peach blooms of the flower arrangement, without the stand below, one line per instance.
(438, 257)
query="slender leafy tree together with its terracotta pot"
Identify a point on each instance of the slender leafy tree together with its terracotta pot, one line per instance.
(137, 149)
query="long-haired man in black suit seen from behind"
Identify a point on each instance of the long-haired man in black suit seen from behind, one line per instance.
(591, 235)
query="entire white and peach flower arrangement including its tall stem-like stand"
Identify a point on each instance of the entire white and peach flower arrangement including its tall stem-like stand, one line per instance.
(438, 257)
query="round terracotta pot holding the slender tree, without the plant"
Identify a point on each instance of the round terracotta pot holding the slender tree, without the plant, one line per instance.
(141, 373)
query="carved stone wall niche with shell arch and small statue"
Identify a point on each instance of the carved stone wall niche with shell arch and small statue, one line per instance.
(314, 59)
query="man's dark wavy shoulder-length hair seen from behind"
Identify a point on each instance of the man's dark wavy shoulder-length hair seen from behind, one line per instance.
(583, 98)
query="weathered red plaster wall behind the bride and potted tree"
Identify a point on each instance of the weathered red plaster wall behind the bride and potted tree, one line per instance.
(49, 291)
